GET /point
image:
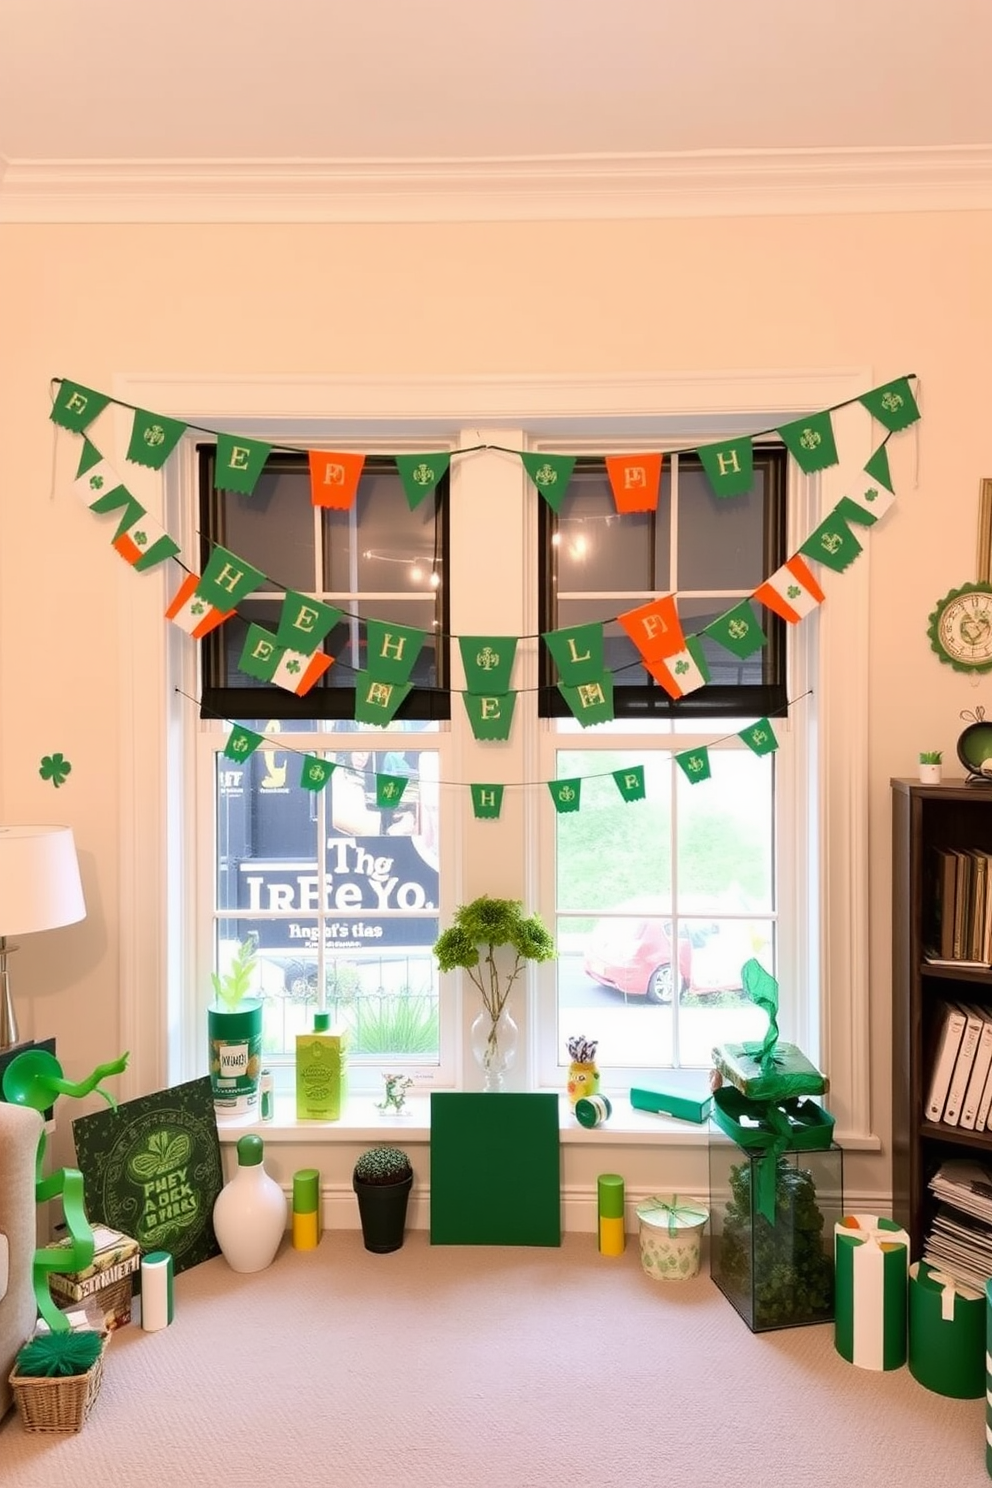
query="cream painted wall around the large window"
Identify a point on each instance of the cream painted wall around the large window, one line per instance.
(898, 294)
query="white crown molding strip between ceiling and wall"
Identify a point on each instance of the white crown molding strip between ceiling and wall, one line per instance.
(706, 184)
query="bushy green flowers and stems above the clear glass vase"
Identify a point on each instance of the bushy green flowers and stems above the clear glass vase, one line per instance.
(478, 932)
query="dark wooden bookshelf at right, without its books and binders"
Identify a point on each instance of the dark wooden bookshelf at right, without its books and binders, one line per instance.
(927, 819)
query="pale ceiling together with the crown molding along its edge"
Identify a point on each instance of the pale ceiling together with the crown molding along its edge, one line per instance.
(389, 109)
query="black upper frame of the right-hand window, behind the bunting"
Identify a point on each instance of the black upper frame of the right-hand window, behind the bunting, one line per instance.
(648, 700)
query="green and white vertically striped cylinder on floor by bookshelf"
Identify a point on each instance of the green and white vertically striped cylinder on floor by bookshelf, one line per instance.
(871, 1292)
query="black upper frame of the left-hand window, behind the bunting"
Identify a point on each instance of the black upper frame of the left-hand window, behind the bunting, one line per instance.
(219, 700)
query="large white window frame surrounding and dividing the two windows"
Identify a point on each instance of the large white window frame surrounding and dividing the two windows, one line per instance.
(155, 961)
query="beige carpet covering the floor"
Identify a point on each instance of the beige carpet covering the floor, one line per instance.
(453, 1368)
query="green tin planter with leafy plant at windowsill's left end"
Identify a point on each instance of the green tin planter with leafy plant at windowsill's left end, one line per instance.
(234, 1024)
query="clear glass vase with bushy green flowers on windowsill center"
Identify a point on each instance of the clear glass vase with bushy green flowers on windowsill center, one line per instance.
(493, 941)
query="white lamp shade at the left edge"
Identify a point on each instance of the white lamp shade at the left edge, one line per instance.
(39, 880)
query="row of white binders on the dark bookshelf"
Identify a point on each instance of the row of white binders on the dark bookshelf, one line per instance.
(960, 1091)
